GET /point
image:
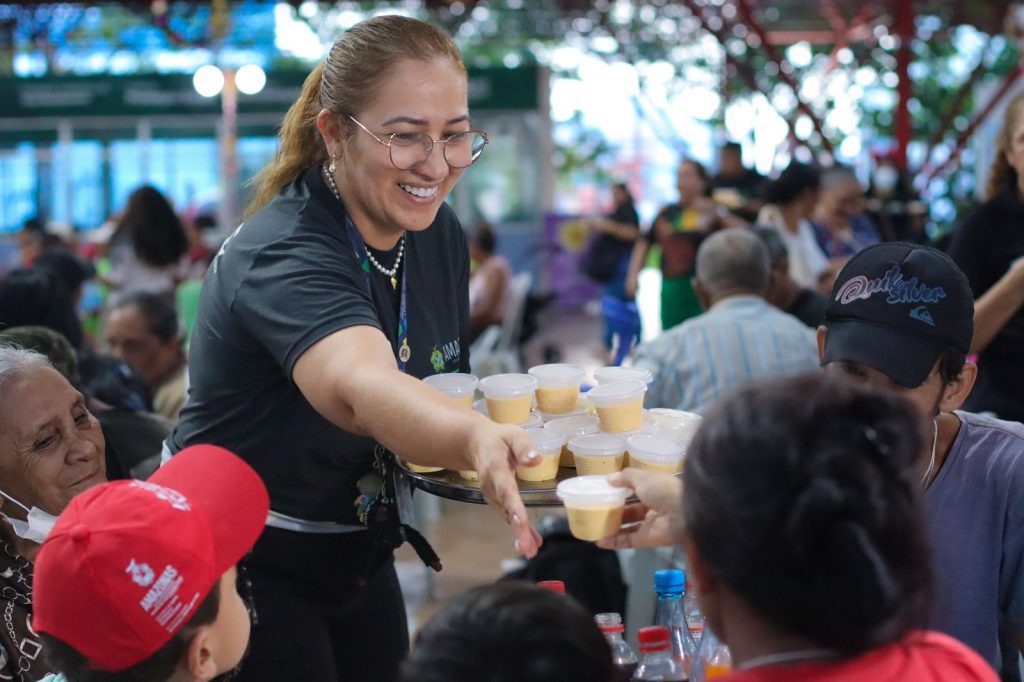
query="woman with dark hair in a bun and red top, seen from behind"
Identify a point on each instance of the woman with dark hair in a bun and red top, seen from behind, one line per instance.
(804, 536)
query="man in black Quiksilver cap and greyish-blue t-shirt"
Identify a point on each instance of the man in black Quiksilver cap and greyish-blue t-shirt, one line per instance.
(902, 316)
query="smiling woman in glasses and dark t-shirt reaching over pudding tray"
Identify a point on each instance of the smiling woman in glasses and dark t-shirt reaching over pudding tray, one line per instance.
(317, 320)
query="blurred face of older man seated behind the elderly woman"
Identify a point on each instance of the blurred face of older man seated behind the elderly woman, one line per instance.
(131, 342)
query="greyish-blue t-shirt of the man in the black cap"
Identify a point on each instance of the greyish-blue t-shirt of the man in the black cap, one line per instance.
(975, 513)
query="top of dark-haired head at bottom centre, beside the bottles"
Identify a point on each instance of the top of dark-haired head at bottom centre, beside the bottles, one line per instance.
(510, 632)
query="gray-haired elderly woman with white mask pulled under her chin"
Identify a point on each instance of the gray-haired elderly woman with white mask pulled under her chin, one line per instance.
(52, 449)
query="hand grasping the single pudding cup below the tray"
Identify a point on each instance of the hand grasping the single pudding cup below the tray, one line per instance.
(658, 518)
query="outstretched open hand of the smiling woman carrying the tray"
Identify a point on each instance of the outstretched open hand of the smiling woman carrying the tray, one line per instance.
(497, 449)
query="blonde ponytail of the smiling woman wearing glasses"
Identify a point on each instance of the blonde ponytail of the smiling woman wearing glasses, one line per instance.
(301, 145)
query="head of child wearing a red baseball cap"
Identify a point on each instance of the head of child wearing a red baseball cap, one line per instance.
(138, 579)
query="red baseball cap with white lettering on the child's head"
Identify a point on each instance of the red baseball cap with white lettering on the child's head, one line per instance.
(129, 563)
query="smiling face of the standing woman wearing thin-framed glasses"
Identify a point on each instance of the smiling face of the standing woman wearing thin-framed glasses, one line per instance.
(417, 97)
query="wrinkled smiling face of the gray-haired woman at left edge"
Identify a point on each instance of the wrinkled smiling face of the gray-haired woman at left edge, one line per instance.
(52, 448)
